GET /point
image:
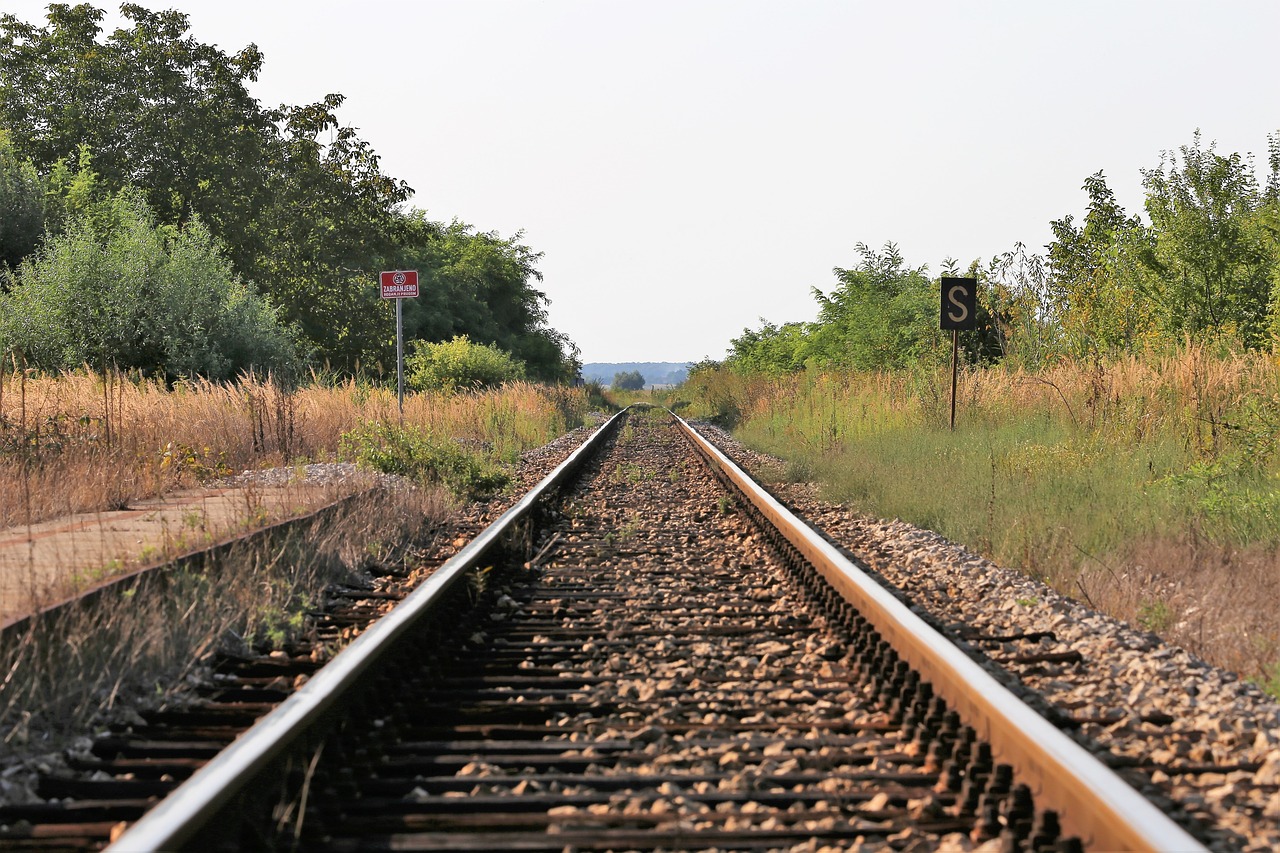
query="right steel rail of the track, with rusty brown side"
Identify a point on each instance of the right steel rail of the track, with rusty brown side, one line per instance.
(1092, 801)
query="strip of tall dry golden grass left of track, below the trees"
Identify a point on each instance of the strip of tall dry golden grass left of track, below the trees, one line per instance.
(85, 443)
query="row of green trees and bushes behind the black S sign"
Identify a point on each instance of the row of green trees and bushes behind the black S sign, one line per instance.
(1203, 267)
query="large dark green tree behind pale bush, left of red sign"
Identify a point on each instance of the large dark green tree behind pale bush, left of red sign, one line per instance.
(310, 221)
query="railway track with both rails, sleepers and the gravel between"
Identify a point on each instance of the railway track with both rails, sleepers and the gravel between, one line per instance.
(642, 663)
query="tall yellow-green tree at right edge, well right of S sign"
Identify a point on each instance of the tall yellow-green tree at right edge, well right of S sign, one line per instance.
(1205, 268)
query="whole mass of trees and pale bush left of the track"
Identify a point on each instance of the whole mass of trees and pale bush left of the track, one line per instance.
(154, 216)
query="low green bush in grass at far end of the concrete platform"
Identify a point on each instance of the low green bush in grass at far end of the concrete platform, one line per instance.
(415, 454)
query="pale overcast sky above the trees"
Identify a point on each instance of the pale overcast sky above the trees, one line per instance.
(691, 167)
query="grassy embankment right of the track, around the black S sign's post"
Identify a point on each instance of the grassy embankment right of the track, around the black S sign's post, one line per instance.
(1148, 489)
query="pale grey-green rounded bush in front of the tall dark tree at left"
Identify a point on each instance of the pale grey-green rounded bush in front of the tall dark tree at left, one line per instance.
(117, 289)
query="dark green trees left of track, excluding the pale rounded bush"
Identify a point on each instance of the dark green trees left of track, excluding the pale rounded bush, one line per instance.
(299, 200)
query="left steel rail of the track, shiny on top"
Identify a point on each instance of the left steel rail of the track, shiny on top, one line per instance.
(181, 816)
